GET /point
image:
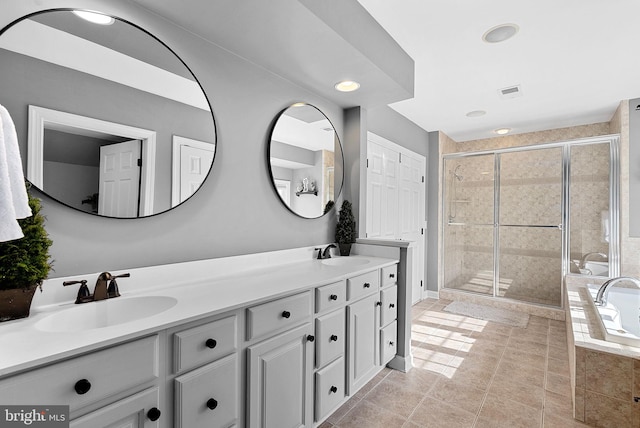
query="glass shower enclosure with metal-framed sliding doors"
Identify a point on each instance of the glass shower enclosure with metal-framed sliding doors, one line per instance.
(516, 220)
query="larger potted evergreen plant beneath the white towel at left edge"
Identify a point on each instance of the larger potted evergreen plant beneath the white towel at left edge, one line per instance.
(24, 264)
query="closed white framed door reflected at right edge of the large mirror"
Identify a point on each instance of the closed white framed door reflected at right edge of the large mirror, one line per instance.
(191, 162)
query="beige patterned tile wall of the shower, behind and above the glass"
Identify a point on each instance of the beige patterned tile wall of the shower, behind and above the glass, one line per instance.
(530, 258)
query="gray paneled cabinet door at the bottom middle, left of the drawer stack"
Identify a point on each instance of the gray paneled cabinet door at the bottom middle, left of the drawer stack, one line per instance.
(279, 380)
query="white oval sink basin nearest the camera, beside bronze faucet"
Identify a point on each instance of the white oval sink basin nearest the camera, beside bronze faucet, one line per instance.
(106, 313)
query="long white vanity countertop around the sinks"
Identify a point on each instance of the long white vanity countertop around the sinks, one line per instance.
(199, 288)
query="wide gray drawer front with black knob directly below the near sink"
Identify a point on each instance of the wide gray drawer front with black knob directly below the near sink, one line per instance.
(99, 374)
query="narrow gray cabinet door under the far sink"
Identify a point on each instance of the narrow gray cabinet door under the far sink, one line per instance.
(363, 333)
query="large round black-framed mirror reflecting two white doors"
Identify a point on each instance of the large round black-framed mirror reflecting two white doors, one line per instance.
(109, 120)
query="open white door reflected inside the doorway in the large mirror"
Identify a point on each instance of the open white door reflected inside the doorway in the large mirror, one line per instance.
(119, 179)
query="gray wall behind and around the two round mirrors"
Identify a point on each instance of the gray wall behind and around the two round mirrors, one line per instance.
(236, 211)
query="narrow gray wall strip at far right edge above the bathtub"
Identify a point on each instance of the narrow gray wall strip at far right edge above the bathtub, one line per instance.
(634, 167)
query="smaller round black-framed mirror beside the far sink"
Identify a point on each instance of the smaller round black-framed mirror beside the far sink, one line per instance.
(305, 158)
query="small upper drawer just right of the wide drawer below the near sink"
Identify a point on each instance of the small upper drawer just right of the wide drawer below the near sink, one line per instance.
(205, 343)
